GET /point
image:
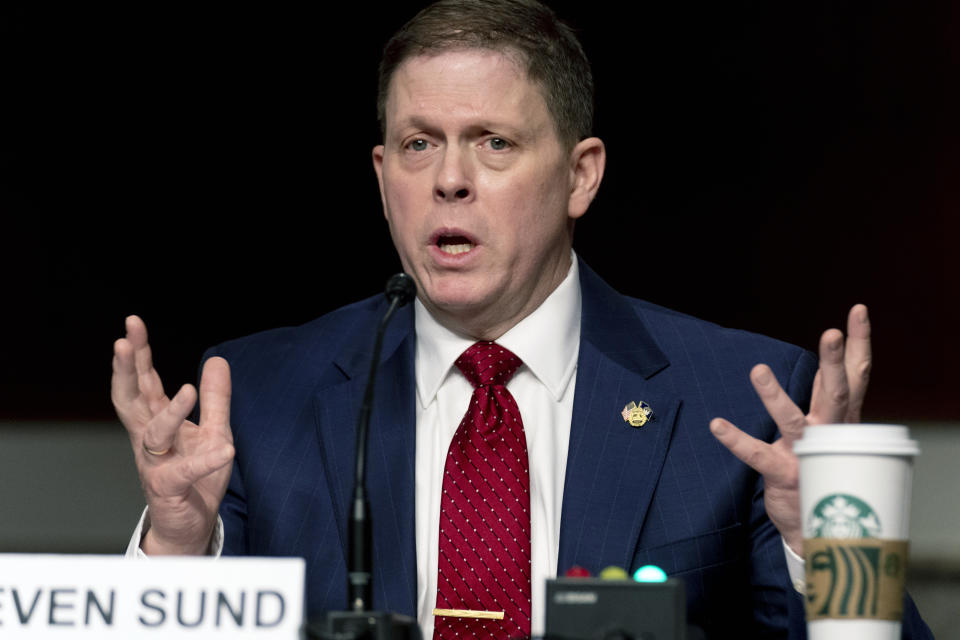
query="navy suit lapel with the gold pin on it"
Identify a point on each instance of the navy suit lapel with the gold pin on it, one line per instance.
(612, 467)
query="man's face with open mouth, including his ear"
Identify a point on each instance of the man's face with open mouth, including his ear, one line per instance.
(478, 190)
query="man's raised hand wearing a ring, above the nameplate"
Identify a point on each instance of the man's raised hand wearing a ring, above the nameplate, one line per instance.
(184, 467)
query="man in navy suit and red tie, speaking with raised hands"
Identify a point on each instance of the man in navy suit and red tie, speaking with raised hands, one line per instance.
(486, 163)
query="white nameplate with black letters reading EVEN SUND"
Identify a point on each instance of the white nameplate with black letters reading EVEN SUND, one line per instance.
(83, 596)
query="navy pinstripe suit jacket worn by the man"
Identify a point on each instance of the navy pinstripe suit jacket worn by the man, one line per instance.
(666, 493)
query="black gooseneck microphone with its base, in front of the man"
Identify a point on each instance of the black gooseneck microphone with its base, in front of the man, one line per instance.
(360, 621)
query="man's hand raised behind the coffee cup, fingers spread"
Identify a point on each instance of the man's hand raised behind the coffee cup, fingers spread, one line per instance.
(838, 391)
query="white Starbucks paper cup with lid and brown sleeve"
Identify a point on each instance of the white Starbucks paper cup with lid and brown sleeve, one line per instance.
(855, 482)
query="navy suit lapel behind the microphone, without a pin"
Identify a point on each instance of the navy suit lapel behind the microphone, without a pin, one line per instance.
(390, 454)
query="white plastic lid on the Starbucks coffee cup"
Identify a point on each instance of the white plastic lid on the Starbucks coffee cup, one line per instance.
(868, 439)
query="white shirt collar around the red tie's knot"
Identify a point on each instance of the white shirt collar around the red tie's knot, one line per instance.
(547, 340)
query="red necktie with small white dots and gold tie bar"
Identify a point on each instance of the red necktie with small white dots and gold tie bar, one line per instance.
(485, 508)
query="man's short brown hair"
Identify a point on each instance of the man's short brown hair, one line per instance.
(527, 30)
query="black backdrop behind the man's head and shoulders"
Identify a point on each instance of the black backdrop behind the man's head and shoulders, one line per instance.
(769, 165)
